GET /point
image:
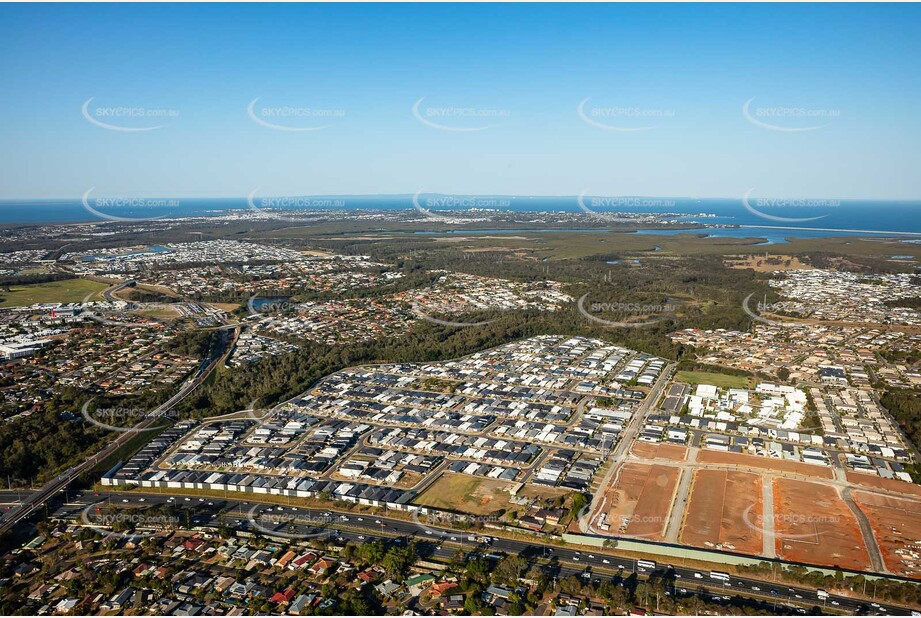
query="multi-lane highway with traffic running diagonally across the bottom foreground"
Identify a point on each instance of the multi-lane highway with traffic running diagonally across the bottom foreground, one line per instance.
(297, 523)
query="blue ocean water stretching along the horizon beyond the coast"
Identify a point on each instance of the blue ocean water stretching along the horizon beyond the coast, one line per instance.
(791, 219)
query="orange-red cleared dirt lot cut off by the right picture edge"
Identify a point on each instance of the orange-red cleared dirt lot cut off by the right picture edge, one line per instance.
(897, 527)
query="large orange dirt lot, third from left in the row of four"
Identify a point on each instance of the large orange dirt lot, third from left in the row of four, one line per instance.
(813, 524)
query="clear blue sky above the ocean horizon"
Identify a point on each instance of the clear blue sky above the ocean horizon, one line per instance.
(679, 73)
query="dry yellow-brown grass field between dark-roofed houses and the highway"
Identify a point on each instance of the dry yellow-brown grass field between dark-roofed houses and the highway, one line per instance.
(466, 494)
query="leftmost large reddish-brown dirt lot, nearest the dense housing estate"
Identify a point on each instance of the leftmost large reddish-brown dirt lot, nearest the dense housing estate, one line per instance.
(639, 501)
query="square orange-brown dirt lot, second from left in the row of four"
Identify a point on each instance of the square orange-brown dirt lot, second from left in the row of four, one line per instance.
(724, 511)
